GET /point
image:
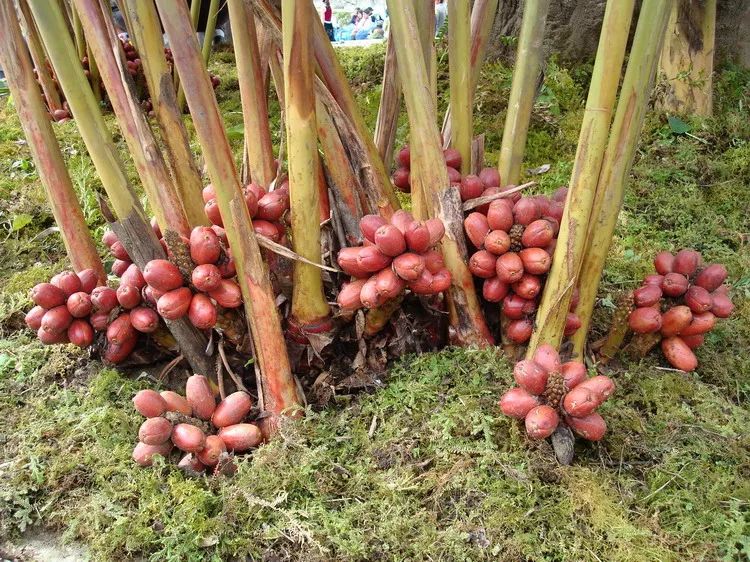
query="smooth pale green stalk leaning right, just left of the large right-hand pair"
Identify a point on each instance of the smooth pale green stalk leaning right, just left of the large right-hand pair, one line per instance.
(522, 90)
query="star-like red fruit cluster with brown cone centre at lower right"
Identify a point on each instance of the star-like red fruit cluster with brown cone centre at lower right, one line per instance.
(549, 392)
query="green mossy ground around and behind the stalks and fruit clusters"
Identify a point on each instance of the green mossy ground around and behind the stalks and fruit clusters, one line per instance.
(443, 476)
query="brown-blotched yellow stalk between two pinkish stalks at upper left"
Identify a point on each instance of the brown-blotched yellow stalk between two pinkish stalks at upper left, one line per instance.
(146, 30)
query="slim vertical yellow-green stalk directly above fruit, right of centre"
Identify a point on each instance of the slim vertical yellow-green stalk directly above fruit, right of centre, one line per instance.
(459, 43)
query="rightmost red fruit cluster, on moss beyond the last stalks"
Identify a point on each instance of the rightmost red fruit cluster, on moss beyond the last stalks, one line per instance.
(681, 303)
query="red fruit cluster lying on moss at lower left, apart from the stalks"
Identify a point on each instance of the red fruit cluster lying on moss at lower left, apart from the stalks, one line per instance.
(195, 425)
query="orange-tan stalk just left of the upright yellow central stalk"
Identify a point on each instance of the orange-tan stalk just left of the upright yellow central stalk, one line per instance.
(252, 92)
